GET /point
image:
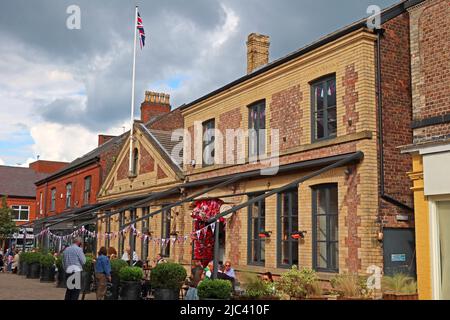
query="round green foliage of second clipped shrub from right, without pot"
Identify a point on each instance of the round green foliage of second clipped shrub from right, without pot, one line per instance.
(168, 276)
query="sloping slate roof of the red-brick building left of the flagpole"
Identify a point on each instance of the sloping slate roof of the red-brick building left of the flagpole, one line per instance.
(86, 159)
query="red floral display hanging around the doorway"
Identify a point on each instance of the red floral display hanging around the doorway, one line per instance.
(204, 240)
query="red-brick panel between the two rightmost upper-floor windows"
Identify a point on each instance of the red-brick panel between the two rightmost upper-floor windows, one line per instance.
(286, 115)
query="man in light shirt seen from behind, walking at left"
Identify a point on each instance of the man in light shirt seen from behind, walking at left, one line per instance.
(73, 261)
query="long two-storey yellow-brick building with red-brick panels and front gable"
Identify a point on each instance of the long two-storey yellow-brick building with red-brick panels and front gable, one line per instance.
(336, 201)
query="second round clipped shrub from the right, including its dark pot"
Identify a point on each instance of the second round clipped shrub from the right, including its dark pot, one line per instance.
(167, 279)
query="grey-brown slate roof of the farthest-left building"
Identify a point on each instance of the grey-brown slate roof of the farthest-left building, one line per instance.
(18, 181)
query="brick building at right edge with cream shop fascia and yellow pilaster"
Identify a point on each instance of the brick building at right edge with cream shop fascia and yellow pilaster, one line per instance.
(430, 73)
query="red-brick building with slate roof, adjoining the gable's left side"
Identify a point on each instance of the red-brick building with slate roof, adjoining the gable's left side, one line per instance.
(71, 191)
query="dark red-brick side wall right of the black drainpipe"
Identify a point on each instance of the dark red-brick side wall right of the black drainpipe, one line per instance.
(397, 112)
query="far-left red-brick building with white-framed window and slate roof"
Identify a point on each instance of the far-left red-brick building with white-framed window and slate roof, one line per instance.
(17, 184)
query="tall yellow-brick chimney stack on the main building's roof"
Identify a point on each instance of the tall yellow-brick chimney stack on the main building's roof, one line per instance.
(257, 51)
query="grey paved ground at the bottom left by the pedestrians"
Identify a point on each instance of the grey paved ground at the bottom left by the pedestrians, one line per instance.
(15, 287)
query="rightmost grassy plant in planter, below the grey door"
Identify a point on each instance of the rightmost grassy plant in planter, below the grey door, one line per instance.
(399, 287)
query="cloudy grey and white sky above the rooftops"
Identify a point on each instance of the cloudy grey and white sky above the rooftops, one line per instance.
(59, 88)
